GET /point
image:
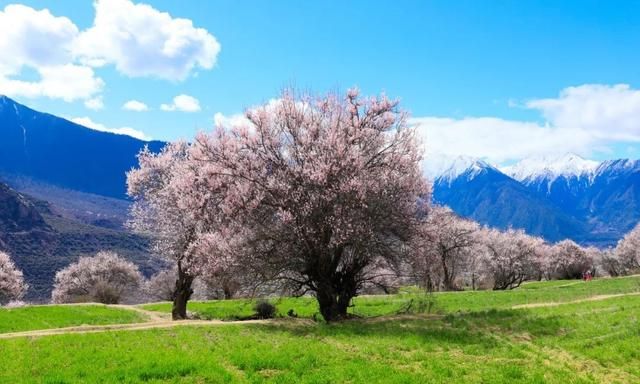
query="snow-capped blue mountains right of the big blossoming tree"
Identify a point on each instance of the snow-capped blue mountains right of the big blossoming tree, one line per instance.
(556, 198)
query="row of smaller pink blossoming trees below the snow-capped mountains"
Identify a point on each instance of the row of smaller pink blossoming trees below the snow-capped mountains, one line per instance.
(452, 253)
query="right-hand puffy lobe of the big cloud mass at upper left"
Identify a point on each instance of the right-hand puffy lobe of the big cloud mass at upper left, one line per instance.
(142, 41)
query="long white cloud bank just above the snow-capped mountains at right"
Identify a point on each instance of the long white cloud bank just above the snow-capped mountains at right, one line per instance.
(583, 120)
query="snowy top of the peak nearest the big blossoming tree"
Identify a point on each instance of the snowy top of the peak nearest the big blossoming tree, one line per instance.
(448, 168)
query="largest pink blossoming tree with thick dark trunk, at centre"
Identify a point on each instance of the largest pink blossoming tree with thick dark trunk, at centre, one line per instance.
(317, 192)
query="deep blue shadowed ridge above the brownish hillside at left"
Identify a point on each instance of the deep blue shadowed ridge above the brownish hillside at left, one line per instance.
(52, 149)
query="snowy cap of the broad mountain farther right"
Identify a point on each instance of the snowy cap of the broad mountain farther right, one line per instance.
(568, 165)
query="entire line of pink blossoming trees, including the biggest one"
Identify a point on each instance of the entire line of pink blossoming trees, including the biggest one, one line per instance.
(313, 195)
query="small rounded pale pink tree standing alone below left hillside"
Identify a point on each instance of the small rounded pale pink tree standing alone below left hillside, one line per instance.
(105, 278)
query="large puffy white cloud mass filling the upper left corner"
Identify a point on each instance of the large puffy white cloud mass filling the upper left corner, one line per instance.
(45, 55)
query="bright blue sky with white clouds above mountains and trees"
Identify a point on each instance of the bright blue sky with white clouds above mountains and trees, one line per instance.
(493, 79)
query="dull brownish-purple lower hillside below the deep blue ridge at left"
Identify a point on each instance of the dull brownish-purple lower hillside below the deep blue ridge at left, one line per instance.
(42, 242)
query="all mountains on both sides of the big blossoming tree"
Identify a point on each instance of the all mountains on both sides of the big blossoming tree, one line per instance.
(63, 194)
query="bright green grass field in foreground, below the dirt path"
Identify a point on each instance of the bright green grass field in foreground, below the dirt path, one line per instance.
(473, 337)
